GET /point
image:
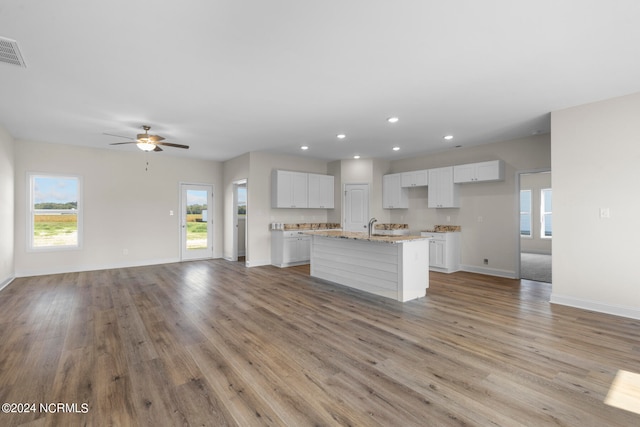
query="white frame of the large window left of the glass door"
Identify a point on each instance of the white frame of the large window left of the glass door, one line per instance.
(31, 212)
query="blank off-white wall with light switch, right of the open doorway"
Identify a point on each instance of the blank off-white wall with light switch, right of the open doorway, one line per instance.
(596, 164)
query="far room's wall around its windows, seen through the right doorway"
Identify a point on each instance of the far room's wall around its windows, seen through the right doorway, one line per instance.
(535, 182)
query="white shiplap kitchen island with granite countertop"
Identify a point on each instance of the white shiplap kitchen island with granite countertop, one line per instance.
(395, 267)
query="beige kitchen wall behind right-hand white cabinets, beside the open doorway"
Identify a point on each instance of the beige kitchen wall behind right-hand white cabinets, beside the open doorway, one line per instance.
(488, 213)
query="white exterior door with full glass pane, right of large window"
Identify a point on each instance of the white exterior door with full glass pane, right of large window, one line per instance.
(196, 221)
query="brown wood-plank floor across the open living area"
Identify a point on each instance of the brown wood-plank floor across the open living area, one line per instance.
(212, 343)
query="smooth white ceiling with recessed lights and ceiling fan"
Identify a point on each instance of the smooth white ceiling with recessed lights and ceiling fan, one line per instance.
(228, 77)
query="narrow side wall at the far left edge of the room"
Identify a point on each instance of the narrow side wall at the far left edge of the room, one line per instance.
(7, 221)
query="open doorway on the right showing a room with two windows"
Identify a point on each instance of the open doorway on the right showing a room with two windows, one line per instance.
(535, 225)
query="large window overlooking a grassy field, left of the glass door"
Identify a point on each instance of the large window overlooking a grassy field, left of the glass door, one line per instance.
(55, 217)
